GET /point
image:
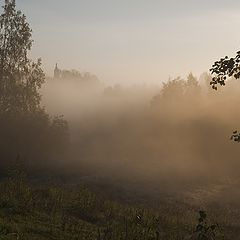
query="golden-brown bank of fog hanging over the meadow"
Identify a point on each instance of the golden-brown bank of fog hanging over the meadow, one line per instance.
(176, 134)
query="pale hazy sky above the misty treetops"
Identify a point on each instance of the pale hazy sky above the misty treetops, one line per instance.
(133, 40)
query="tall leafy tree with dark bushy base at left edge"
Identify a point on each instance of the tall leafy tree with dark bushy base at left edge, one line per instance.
(25, 127)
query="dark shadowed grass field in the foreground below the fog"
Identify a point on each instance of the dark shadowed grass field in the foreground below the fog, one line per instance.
(64, 211)
